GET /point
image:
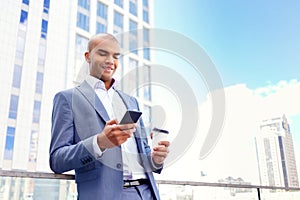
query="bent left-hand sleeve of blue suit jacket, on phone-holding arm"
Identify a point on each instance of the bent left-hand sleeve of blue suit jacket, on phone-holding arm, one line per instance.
(65, 153)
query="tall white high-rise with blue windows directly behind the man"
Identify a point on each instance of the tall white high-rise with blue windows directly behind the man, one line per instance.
(42, 46)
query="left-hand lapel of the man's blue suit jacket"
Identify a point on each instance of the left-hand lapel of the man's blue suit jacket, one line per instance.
(87, 91)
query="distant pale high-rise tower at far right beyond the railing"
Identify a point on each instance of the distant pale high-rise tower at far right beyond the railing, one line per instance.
(275, 153)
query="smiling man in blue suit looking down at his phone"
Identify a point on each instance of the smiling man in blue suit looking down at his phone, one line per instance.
(112, 161)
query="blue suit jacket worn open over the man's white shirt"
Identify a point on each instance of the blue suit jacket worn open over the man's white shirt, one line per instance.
(77, 116)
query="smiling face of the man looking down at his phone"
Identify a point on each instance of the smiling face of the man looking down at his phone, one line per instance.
(103, 58)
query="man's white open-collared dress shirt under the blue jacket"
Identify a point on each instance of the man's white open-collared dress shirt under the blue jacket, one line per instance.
(115, 108)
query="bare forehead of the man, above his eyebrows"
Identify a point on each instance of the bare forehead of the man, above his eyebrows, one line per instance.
(107, 44)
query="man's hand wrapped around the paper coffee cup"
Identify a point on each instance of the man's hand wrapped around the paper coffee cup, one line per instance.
(160, 152)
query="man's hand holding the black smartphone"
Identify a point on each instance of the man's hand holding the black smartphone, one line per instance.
(115, 134)
